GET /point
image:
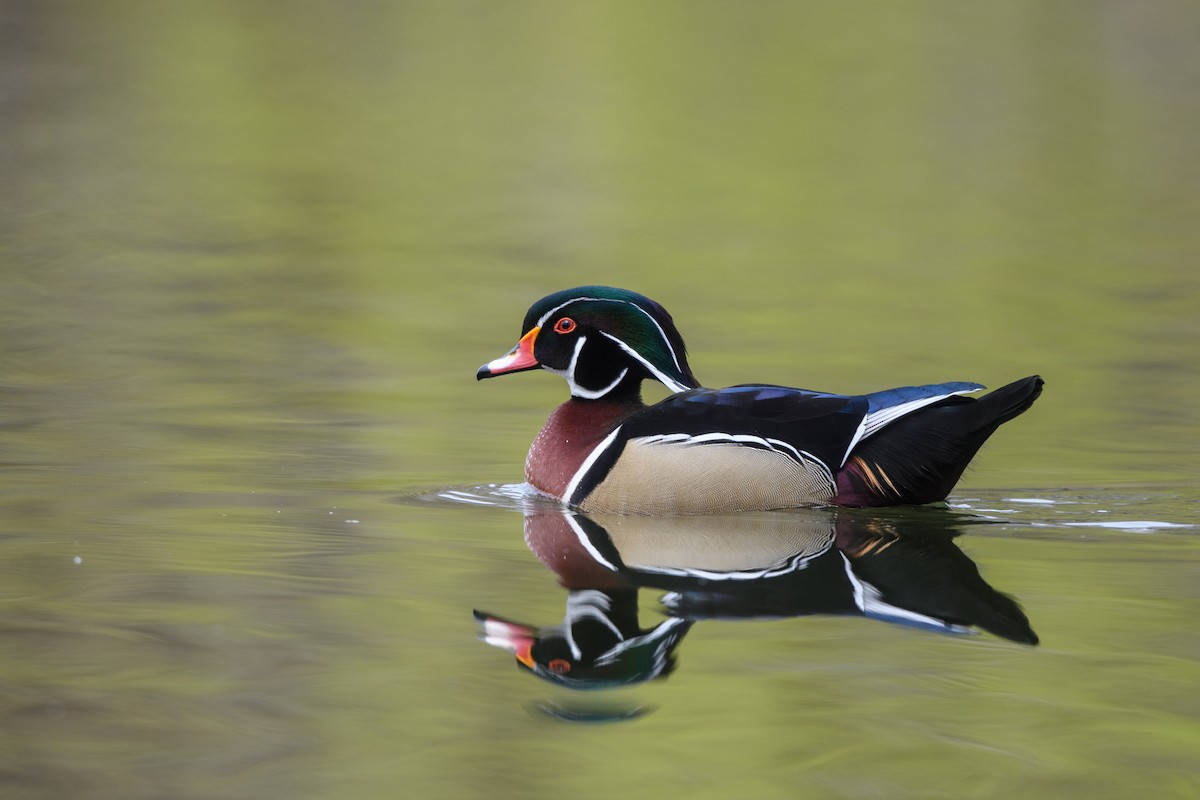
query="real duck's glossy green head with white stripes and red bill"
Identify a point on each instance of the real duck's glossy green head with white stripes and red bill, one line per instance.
(603, 341)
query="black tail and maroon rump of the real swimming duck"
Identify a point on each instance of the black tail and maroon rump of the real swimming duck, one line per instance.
(920, 458)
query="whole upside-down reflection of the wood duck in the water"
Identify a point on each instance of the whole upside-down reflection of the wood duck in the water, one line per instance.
(902, 569)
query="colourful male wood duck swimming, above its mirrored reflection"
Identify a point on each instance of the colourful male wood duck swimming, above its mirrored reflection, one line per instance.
(748, 448)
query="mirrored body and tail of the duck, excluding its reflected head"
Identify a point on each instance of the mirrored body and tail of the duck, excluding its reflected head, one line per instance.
(902, 568)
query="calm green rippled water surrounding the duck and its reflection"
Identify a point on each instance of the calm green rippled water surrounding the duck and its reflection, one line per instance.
(253, 255)
